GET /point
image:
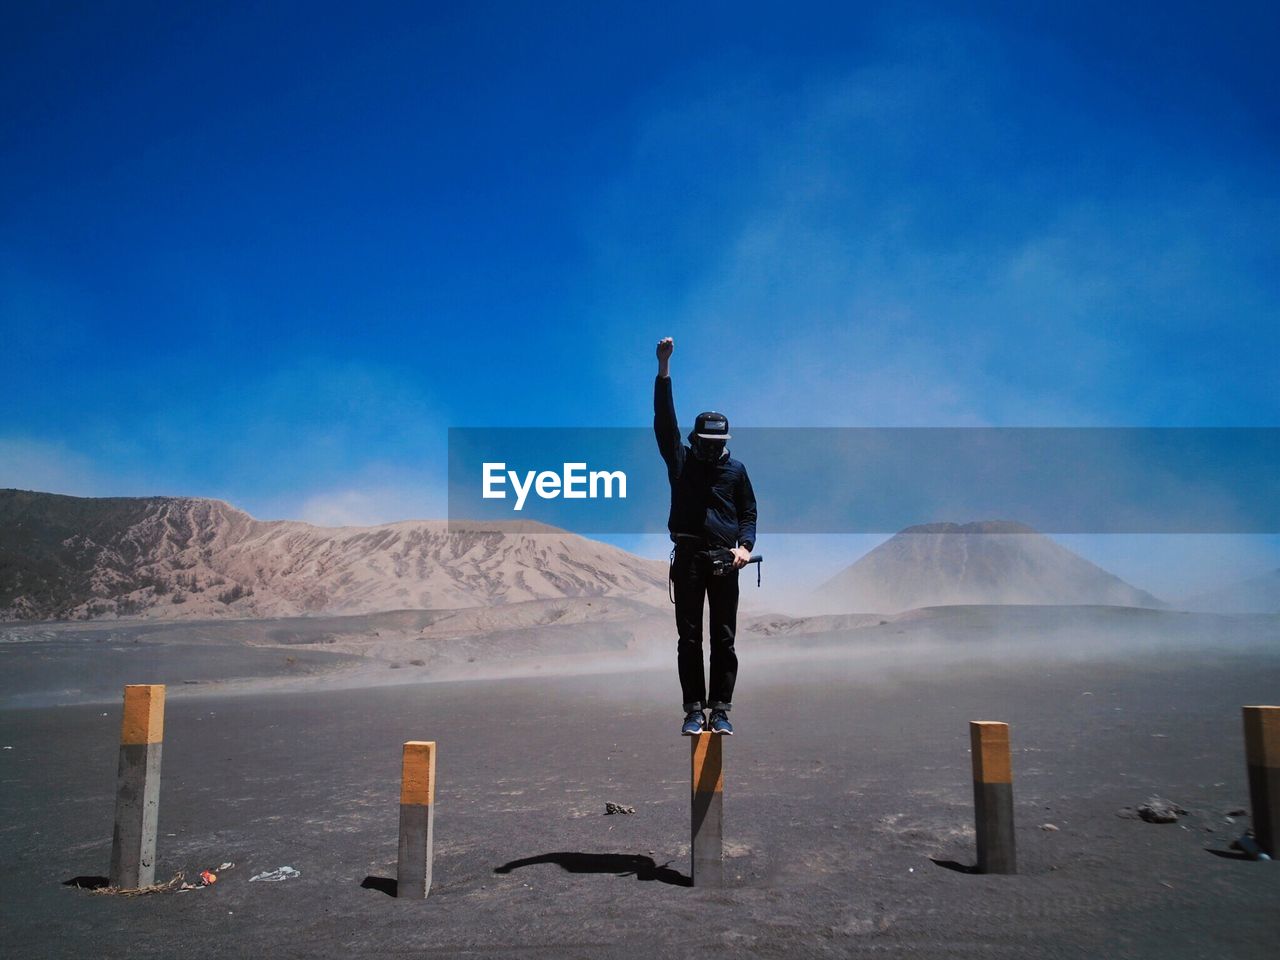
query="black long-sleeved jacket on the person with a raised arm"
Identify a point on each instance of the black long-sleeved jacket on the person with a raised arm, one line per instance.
(714, 501)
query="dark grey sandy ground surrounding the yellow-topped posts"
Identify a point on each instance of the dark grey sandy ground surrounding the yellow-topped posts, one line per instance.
(848, 806)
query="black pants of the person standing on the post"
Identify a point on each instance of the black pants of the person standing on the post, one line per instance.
(693, 579)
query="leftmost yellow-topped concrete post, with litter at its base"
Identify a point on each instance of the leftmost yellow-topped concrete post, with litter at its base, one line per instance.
(138, 788)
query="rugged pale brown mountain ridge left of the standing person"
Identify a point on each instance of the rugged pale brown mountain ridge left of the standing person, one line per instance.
(188, 557)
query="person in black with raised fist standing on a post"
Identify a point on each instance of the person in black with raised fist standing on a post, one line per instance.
(712, 519)
